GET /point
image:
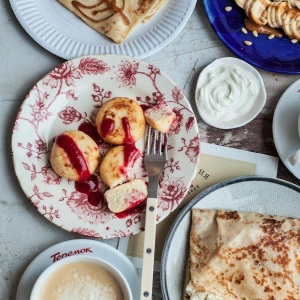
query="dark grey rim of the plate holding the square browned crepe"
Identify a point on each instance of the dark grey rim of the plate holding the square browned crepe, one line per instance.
(197, 199)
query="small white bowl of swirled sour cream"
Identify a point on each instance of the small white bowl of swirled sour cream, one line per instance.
(229, 93)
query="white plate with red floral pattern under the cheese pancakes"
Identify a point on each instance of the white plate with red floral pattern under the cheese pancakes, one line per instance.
(68, 98)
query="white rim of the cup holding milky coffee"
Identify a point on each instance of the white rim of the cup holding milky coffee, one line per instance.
(52, 269)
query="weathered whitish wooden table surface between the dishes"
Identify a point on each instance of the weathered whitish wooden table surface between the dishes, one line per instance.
(24, 233)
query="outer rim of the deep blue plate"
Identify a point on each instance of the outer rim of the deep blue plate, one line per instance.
(246, 58)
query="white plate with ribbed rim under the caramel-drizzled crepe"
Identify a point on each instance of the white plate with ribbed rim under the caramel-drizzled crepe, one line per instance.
(61, 32)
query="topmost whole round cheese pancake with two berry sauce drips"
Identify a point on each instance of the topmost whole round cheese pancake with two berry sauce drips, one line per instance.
(120, 121)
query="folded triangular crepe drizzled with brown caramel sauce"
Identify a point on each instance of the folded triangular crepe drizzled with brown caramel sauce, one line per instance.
(114, 18)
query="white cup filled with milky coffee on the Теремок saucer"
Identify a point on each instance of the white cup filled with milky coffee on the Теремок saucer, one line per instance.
(66, 268)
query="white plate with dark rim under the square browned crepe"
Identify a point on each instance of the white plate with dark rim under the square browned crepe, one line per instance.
(251, 193)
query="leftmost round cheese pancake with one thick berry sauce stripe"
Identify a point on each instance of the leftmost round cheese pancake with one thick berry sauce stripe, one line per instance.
(74, 155)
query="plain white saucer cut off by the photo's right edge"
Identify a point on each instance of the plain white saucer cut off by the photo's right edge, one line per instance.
(285, 126)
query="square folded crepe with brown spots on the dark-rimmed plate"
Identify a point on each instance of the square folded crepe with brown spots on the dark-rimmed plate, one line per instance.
(240, 255)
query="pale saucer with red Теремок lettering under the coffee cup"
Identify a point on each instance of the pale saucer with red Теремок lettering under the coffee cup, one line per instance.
(87, 247)
